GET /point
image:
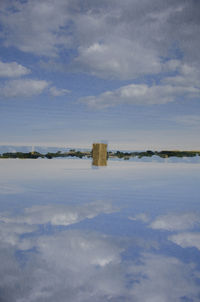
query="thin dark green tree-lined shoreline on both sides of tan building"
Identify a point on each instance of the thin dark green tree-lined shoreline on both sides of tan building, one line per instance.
(88, 154)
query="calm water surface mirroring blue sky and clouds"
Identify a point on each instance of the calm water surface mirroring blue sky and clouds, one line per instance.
(125, 232)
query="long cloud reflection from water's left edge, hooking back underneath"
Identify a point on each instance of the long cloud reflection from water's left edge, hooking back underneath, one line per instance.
(14, 226)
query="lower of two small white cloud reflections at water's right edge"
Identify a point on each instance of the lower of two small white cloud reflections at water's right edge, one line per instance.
(187, 239)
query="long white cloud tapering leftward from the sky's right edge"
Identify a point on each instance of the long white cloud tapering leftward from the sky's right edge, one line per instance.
(184, 84)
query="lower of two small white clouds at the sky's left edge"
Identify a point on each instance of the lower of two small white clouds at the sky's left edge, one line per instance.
(22, 88)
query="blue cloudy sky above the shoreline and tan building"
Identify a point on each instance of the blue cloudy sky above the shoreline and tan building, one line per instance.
(123, 72)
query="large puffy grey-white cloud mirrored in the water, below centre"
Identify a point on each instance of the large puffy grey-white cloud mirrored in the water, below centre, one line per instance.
(80, 249)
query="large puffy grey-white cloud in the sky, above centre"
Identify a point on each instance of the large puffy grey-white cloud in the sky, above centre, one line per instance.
(123, 59)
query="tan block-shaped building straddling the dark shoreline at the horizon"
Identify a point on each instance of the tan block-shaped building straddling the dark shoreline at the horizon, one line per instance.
(99, 154)
